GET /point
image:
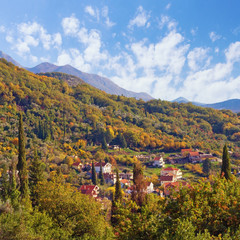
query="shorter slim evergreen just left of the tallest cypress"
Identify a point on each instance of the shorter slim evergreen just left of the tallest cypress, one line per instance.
(13, 191)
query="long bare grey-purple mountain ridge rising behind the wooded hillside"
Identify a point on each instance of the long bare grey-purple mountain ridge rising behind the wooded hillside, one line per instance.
(95, 80)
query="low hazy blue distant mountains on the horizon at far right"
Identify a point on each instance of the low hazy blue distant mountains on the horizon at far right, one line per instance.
(231, 104)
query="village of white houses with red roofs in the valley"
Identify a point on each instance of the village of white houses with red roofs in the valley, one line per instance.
(169, 176)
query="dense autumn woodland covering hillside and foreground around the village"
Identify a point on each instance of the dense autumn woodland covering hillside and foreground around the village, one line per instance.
(63, 118)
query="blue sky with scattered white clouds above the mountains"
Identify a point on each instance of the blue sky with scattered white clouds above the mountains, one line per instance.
(166, 48)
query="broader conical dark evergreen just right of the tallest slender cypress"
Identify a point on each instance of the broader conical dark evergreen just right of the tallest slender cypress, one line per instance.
(35, 176)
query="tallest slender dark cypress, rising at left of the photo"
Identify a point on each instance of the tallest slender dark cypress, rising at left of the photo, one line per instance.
(22, 165)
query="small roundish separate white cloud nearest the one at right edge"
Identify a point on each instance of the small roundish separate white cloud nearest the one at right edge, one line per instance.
(198, 58)
